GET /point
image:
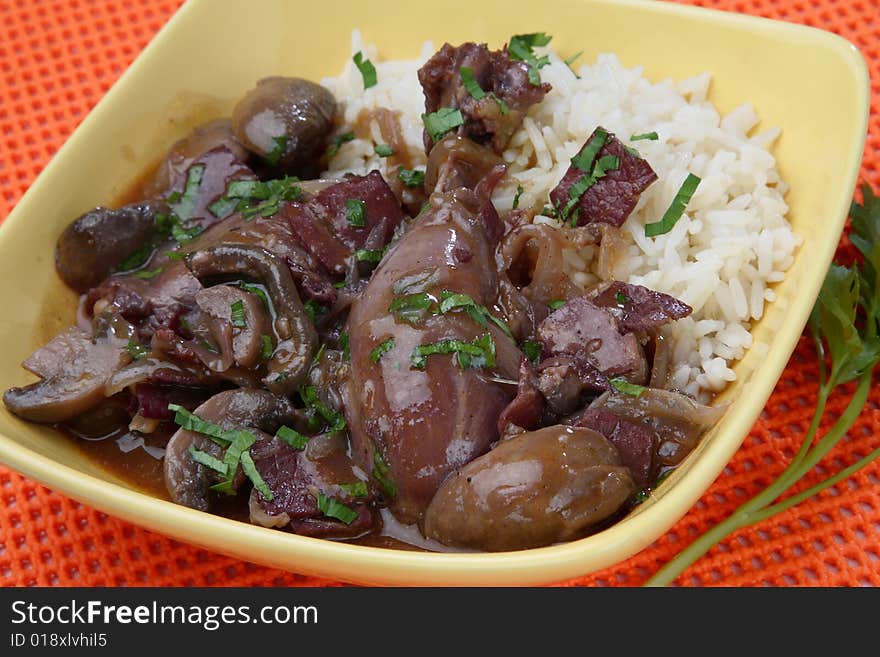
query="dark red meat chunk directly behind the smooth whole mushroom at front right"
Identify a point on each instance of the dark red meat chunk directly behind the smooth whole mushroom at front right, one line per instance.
(636, 442)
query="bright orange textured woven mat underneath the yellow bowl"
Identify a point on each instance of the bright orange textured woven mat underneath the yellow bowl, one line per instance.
(58, 57)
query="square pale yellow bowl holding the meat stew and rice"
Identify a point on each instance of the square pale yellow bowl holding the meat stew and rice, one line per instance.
(812, 84)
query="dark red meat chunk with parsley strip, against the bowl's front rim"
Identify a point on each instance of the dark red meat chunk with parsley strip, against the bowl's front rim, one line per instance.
(297, 477)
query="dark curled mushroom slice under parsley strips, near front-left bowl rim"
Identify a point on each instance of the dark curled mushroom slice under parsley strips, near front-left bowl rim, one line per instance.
(258, 411)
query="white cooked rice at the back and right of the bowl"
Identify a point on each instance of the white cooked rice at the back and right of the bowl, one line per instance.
(721, 256)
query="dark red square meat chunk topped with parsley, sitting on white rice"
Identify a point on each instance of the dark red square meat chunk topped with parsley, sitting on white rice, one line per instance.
(612, 197)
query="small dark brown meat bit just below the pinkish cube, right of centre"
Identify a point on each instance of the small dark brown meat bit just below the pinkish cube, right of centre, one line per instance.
(564, 381)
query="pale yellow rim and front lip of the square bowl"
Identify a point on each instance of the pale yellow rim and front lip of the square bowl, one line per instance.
(368, 564)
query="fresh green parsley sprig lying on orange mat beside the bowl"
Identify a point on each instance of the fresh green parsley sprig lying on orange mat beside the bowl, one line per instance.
(844, 325)
